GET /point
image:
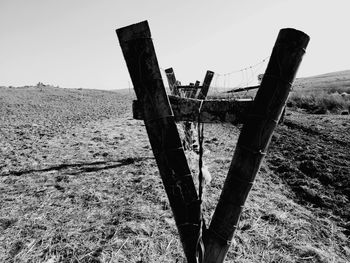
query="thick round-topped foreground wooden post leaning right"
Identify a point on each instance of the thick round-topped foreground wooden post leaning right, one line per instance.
(254, 140)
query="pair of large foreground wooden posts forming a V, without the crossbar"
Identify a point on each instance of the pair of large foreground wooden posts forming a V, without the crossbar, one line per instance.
(262, 118)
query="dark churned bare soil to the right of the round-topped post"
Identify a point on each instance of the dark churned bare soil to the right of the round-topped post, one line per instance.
(311, 155)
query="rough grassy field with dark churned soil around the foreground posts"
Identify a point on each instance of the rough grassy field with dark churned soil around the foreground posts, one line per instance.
(78, 183)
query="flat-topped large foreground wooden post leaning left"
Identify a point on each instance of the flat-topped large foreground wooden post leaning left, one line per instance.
(141, 60)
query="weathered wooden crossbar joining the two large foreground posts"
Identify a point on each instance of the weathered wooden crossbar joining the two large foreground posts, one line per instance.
(213, 111)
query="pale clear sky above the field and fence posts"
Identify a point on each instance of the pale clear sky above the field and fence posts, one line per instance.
(72, 43)
